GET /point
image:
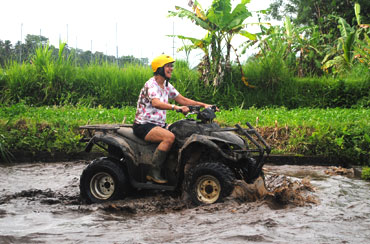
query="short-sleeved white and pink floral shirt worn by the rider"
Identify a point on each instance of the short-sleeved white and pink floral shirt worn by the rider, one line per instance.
(145, 112)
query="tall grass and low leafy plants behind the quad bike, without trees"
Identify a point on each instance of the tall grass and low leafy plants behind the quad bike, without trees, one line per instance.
(44, 102)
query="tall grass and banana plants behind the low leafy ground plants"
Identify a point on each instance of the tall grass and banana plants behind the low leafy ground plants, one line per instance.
(287, 70)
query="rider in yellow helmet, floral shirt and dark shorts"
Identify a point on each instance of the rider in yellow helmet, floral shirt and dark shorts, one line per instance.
(150, 120)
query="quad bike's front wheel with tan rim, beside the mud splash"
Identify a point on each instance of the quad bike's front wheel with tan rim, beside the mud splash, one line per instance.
(208, 183)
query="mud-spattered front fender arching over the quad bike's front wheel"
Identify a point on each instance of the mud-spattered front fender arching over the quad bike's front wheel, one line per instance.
(209, 142)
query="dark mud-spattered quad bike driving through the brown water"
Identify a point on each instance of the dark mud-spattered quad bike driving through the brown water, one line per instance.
(204, 160)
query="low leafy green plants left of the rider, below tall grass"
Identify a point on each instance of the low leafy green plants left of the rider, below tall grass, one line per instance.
(51, 129)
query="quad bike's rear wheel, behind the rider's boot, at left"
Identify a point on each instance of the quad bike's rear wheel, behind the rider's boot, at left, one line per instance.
(103, 180)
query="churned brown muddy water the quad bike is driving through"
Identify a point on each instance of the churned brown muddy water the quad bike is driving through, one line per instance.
(39, 203)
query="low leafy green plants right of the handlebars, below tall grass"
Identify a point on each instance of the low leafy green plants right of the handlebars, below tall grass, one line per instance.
(342, 134)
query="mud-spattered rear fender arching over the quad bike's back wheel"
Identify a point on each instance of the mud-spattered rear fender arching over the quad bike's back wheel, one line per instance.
(113, 140)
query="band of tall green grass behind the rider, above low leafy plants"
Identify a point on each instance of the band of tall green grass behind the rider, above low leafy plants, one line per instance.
(48, 81)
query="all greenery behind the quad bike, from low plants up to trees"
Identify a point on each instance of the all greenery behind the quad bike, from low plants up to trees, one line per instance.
(307, 88)
